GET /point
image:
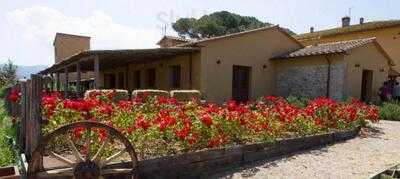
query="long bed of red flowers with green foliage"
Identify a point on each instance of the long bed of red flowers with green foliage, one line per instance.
(162, 126)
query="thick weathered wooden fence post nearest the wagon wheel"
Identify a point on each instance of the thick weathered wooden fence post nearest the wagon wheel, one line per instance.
(34, 124)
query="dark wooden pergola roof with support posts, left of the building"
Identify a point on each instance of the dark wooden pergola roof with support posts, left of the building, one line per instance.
(99, 60)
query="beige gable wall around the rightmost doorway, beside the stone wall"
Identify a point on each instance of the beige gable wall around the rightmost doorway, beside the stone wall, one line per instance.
(369, 58)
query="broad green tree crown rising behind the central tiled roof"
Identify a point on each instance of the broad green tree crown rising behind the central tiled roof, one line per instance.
(217, 24)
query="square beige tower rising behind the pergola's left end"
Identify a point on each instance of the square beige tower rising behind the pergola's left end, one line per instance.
(66, 45)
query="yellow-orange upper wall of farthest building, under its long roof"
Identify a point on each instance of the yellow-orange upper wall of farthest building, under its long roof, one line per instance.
(388, 38)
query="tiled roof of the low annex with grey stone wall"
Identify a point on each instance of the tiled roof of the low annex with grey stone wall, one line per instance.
(328, 48)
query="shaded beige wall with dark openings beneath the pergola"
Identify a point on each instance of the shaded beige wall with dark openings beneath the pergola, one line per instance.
(163, 75)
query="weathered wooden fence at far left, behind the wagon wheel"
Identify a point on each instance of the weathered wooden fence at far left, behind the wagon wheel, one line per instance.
(28, 111)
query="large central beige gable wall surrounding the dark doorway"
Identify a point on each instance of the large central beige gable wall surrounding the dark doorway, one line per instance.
(251, 49)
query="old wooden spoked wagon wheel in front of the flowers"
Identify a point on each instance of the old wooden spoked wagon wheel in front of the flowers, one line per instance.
(90, 165)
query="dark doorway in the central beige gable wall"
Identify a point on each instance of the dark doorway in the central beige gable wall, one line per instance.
(241, 83)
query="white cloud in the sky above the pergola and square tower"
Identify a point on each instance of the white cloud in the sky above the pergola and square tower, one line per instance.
(34, 29)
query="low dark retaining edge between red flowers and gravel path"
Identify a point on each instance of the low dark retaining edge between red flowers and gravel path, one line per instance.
(203, 163)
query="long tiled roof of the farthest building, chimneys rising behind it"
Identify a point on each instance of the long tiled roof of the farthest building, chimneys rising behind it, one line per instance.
(352, 28)
